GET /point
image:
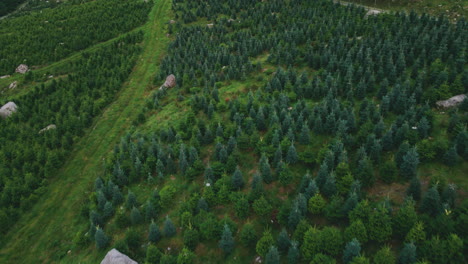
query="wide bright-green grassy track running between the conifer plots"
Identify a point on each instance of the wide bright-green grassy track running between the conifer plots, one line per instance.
(45, 233)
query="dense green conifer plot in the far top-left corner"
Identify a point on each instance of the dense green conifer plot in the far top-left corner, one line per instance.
(48, 35)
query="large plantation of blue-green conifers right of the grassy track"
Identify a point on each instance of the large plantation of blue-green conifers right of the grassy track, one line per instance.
(290, 115)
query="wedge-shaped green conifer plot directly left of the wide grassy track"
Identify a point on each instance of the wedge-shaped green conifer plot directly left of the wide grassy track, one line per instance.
(30, 157)
